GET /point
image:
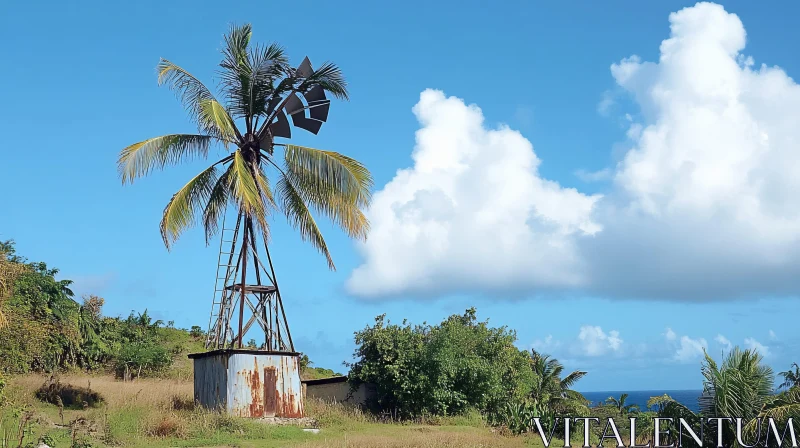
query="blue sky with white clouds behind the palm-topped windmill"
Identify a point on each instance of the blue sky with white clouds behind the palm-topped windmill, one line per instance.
(648, 200)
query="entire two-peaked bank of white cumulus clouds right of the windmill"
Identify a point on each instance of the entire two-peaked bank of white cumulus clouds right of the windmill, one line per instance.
(702, 207)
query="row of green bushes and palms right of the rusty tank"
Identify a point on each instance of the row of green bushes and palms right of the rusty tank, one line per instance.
(464, 364)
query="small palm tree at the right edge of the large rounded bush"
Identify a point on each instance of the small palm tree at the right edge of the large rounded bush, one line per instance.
(550, 389)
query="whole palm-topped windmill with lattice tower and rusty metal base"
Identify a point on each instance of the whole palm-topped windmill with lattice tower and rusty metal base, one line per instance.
(265, 98)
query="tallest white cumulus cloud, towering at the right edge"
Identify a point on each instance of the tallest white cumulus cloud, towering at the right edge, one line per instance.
(707, 190)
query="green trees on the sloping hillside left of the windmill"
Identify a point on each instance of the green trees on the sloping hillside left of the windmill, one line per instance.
(44, 329)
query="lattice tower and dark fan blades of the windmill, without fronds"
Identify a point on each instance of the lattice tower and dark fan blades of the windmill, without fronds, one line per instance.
(246, 292)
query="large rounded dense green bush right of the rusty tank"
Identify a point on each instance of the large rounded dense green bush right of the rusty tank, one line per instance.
(443, 369)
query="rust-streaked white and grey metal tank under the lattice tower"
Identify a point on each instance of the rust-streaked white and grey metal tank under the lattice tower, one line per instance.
(249, 383)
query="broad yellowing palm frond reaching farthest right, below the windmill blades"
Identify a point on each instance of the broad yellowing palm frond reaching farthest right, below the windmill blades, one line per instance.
(335, 185)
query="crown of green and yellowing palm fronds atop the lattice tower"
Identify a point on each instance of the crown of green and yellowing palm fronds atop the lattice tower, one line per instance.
(255, 84)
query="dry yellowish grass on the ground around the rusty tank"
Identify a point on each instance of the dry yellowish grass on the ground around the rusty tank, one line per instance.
(160, 412)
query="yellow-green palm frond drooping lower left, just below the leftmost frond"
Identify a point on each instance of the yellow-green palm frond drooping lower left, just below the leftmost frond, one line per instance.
(180, 211)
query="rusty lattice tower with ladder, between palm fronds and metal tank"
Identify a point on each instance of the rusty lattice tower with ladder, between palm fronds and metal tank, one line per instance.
(241, 260)
